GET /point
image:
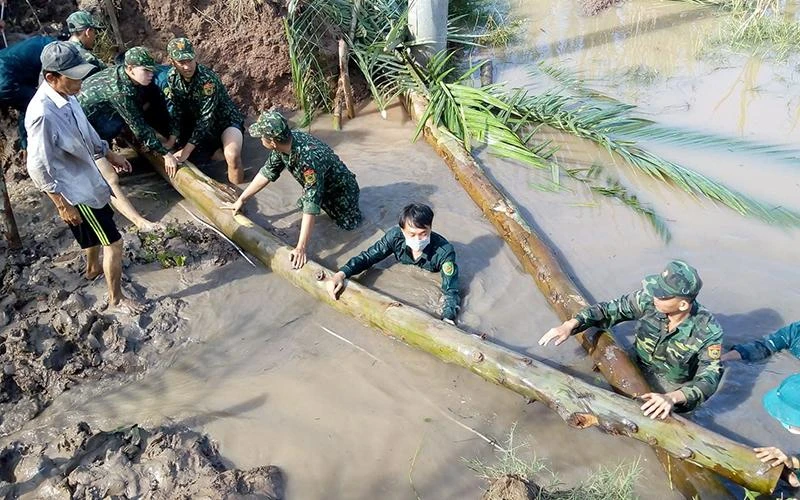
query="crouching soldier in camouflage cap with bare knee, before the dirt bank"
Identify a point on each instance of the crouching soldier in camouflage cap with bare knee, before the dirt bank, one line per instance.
(203, 116)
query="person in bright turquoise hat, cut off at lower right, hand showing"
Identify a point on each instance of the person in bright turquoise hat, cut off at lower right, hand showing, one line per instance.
(783, 404)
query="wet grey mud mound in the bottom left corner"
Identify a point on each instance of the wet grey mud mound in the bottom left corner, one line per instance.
(130, 462)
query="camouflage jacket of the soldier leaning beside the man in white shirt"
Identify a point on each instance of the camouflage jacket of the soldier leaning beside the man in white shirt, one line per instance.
(112, 92)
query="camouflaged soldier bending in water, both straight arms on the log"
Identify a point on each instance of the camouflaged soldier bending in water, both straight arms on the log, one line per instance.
(327, 183)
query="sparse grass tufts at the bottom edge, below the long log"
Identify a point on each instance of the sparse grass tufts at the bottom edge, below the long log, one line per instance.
(615, 483)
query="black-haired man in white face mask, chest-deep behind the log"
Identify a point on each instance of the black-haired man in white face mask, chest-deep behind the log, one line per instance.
(412, 242)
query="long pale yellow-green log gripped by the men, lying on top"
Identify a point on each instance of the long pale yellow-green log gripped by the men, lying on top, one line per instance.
(580, 404)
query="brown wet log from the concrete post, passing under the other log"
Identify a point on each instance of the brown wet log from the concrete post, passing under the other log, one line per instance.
(564, 296)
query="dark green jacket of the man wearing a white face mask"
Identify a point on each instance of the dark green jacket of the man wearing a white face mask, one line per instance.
(438, 256)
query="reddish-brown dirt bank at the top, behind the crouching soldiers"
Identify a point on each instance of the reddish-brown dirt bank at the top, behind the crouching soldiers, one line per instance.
(243, 41)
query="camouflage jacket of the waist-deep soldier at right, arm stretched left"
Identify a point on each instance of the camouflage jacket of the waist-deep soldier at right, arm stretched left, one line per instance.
(689, 355)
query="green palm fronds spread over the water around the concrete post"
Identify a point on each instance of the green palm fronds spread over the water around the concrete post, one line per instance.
(506, 121)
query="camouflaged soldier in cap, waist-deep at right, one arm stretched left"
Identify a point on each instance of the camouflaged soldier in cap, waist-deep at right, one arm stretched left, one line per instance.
(678, 341)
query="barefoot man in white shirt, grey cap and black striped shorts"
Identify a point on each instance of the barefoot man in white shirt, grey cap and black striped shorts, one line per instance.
(62, 148)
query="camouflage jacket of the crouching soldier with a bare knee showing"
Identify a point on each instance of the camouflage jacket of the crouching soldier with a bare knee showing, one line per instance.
(203, 102)
